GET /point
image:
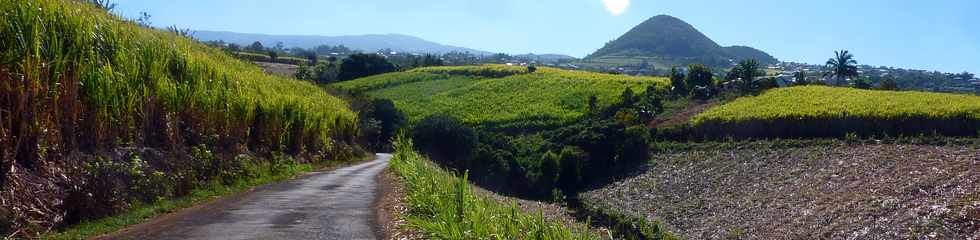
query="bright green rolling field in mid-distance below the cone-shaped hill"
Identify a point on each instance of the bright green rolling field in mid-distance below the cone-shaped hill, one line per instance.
(498, 94)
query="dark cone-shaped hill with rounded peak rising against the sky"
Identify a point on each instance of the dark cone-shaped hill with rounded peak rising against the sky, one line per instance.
(671, 41)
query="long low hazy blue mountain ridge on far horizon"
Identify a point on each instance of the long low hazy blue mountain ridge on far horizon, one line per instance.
(367, 43)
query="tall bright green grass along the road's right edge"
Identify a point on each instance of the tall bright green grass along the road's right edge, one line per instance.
(443, 206)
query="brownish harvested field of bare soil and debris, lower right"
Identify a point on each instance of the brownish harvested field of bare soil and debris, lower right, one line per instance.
(826, 191)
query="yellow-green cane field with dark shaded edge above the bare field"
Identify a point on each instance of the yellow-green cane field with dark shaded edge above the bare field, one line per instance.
(818, 111)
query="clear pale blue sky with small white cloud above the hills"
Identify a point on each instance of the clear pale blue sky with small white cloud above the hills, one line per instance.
(941, 35)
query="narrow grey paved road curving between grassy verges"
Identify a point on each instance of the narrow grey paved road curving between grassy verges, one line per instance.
(330, 205)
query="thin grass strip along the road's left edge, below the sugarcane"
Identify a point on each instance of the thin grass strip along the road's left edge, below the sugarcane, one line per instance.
(263, 174)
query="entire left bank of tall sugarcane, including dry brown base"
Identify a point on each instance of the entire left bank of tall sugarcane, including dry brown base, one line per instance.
(100, 113)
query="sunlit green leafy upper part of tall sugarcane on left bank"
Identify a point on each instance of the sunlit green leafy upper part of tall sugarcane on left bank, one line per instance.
(122, 65)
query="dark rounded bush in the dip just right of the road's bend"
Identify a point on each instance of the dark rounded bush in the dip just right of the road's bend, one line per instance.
(446, 140)
